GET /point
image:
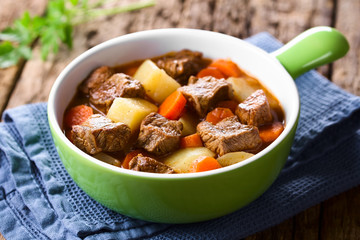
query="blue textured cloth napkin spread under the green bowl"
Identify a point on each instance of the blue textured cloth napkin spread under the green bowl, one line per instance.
(39, 200)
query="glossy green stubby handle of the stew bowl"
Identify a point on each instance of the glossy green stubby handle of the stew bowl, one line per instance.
(313, 48)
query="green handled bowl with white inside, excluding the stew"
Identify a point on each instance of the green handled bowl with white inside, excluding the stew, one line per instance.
(192, 197)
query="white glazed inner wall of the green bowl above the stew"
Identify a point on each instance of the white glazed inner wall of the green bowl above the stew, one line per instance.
(153, 43)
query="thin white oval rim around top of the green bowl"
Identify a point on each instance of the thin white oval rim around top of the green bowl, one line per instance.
(56, 129)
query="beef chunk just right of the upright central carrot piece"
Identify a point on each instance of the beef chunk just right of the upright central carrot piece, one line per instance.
(203, 93)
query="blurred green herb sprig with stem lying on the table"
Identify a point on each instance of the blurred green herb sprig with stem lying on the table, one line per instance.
(54, 28)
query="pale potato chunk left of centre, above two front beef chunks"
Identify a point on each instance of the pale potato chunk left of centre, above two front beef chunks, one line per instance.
(130, 111)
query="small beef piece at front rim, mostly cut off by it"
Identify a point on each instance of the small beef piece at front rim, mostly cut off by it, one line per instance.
(148, 164)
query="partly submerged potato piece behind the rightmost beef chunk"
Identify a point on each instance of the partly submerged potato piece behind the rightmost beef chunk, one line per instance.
(244, 86)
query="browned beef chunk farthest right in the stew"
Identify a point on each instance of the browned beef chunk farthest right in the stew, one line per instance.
(255, 109)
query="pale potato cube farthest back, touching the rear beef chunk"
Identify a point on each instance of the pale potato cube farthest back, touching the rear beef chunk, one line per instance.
(158, 85)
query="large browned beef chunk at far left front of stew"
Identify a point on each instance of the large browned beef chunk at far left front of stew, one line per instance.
(99, 133)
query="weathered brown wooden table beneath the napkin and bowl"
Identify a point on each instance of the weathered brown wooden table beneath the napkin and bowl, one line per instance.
(29, 82)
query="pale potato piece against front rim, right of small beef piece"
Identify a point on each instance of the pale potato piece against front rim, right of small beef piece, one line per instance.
(181, 160)
